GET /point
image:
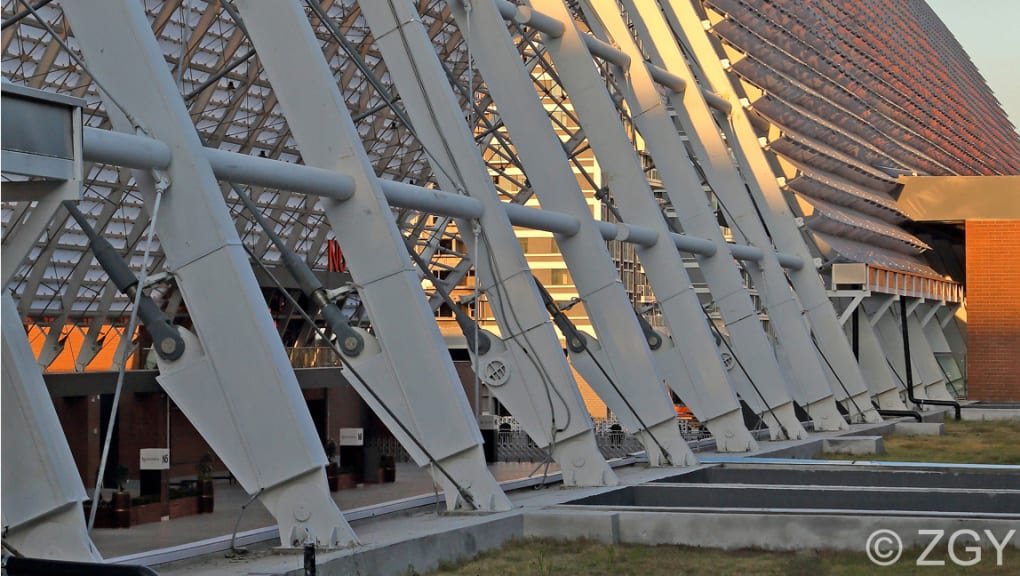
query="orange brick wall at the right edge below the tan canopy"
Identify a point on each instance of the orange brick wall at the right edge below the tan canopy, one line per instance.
(994, 310)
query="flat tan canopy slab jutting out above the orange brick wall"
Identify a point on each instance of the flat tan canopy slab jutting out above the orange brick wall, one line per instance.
(955, 199)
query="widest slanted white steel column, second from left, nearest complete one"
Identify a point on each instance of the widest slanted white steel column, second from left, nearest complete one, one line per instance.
(235, 383)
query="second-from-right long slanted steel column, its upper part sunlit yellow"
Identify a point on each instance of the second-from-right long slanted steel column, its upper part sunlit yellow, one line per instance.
(785, 310)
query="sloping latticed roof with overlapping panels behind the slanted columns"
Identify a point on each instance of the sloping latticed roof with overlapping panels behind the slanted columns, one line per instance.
(848, 114)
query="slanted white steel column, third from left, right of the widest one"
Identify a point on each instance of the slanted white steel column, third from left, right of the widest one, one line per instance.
(409, 368)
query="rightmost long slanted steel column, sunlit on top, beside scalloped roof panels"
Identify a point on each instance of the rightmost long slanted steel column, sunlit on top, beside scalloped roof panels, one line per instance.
(764, 187)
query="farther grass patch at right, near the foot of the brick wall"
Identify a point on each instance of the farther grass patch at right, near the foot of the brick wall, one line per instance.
(966, 442)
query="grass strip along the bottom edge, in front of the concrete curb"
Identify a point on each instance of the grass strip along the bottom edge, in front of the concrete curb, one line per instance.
(542, 558)
